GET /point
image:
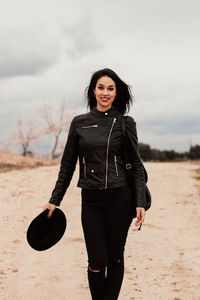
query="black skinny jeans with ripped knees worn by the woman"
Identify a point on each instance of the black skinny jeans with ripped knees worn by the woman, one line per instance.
(106, 218)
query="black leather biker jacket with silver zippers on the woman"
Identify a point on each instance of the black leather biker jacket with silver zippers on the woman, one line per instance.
(95, 138)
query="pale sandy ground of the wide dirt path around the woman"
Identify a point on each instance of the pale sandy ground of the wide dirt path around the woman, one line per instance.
(162, 261)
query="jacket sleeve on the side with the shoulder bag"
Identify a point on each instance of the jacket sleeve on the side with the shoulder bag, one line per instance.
(138, 168)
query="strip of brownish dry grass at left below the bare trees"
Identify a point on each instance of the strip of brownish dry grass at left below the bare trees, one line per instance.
(10, 162)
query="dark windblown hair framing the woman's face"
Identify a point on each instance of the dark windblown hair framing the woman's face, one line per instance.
(124, 96)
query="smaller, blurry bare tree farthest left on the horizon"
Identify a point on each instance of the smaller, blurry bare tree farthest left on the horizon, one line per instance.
(25, 134)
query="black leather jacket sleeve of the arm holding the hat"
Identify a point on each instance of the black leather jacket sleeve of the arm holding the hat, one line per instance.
(67, 166)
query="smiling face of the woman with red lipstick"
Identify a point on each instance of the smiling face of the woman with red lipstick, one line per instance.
(105, 92)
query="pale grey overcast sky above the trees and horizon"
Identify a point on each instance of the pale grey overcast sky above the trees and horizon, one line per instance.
(49, 50)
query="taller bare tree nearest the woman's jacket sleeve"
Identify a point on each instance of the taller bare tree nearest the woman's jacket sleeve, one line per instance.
(56, 121)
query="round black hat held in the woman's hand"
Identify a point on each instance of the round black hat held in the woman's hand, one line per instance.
(44, 232)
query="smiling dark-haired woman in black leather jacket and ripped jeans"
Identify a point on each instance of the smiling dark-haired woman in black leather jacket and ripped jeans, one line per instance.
(95, 137)
